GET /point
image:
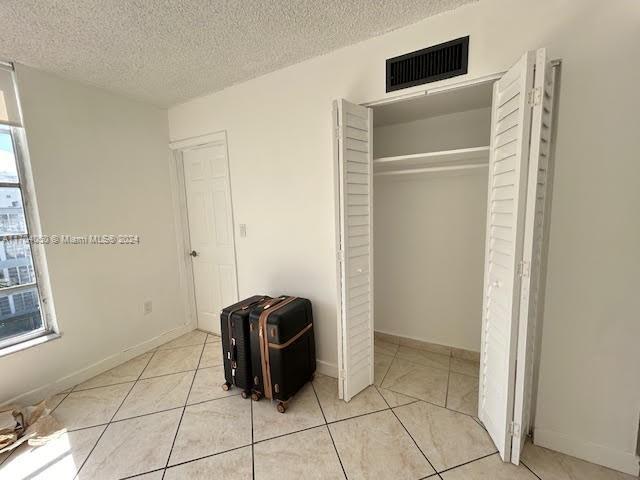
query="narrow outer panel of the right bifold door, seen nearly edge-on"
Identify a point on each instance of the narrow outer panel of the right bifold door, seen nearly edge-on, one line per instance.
(541, 124)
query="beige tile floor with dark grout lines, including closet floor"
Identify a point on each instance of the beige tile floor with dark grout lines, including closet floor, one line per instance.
(164, 416)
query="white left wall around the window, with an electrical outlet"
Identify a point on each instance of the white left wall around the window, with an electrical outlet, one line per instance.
(101, 166)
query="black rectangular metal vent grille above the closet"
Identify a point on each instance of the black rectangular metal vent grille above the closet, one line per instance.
(431, 64)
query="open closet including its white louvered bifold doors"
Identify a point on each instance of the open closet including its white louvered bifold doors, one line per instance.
(428, 191)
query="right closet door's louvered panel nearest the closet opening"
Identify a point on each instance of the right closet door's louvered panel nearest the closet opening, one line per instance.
(508, 161)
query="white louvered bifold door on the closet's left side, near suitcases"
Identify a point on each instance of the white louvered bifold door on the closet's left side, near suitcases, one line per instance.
(355, 247)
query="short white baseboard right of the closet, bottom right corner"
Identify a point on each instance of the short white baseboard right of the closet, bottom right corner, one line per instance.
(626, 462)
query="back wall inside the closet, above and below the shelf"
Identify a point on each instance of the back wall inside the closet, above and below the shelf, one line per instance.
(429, 233)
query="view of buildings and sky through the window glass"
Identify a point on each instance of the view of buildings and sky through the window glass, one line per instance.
(19, 303)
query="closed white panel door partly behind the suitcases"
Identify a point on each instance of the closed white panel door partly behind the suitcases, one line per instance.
(208, 194)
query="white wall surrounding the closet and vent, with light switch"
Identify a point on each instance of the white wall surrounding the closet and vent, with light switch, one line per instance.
(280, 131)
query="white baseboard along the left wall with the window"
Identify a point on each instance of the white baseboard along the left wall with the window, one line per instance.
(84, 374)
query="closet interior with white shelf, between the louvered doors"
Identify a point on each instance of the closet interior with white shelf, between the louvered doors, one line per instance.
(430, 169)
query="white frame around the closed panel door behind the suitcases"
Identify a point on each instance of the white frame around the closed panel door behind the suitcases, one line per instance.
(181, 219)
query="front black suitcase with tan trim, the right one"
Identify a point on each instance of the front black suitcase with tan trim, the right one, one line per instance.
(283, 352)
